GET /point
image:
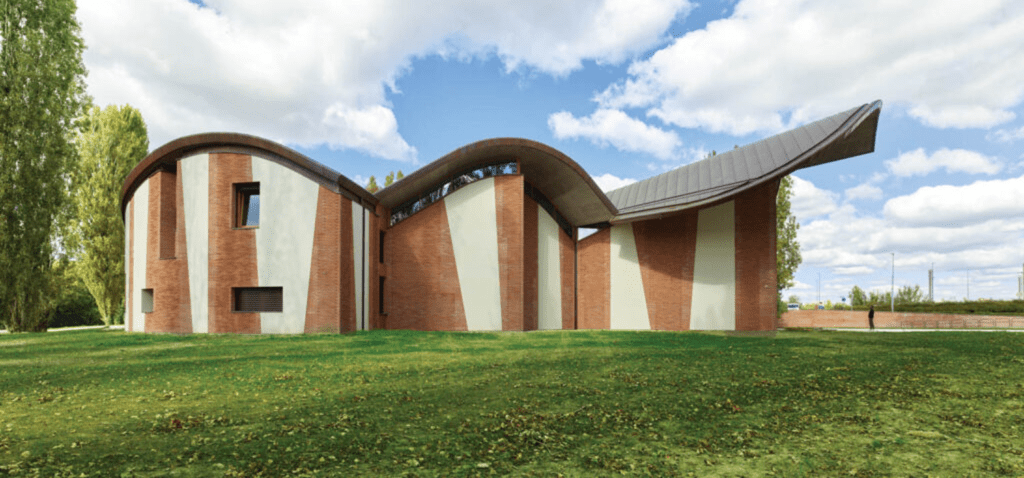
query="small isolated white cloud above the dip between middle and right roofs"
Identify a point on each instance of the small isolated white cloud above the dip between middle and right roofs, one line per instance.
(613, 127)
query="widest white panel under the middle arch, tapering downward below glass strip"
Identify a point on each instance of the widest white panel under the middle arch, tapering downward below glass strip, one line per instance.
(474, 223)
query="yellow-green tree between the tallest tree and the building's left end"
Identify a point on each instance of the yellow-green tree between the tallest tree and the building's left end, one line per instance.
(110, 144)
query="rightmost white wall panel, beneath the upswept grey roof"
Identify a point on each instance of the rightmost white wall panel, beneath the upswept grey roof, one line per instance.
(714, 303)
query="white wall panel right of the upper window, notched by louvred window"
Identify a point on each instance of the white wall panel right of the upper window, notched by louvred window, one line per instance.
(285, 242)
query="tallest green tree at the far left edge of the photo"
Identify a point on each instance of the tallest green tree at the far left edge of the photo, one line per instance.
(42, 93)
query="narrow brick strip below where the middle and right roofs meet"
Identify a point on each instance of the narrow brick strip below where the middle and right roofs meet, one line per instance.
(595, 281)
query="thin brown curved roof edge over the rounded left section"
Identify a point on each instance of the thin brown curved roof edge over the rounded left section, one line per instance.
(167, 155)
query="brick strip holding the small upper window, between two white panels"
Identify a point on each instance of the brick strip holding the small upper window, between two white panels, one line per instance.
(233, 251)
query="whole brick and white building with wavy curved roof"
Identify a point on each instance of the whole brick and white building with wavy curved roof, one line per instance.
(234, 234)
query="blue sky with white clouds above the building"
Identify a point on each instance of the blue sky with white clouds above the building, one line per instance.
(629, 90)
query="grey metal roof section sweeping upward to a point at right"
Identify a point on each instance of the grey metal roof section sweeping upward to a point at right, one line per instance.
(721, 178)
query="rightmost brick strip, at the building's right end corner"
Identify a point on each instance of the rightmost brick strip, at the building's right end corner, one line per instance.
(756, 279)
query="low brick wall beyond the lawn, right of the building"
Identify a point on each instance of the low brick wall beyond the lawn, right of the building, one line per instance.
(859, 319)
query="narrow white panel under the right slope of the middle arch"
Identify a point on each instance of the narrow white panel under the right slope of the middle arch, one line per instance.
(549, 274)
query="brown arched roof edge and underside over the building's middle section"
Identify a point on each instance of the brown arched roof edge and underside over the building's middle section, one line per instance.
(565, 183)
